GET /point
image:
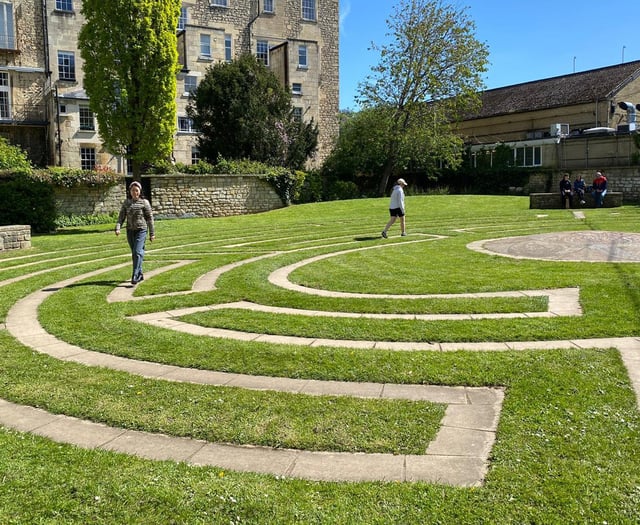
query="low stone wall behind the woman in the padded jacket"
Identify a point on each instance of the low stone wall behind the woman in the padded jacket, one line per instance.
(177, 196)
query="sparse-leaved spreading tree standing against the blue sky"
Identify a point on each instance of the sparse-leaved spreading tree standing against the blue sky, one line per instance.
(428, 76)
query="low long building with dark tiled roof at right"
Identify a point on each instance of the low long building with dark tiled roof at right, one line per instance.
(579, 120)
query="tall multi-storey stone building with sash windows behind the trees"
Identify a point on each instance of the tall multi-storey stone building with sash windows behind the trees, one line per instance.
(44, 108)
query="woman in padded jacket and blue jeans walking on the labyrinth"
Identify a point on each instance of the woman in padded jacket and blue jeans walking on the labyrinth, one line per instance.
(139, 218)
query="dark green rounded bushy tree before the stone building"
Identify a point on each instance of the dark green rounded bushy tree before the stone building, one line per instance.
(242, 111)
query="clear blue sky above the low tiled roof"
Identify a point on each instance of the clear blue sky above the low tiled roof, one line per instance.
(527, 40)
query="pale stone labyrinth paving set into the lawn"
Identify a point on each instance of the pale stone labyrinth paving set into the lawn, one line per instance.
(457, 456)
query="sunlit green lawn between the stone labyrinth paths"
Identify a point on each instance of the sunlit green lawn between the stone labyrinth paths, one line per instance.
(567, 448)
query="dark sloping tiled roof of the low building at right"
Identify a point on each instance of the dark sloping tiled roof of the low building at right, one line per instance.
(577, 88)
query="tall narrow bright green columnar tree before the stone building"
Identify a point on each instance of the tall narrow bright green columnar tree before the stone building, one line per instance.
(130, 58)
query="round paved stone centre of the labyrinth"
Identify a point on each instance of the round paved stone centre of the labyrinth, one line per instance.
(574, 246)
